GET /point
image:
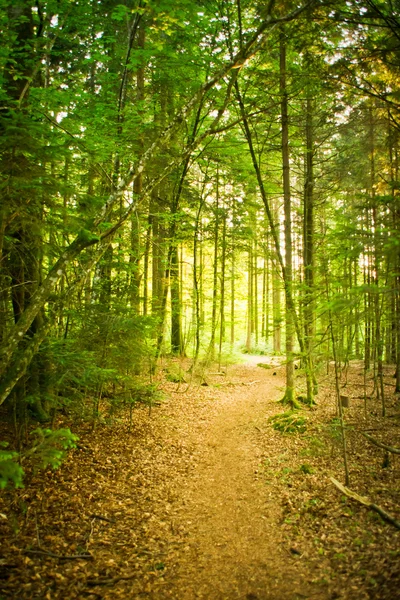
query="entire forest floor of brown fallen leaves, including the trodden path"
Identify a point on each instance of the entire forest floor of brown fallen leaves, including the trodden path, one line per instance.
(203, 499)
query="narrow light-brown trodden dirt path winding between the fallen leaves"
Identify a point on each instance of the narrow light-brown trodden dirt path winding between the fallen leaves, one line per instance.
(235, 547)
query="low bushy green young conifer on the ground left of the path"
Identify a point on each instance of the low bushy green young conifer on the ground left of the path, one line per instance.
(104, 353)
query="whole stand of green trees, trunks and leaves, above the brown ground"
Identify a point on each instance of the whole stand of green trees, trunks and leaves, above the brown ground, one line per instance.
(172, 171)
